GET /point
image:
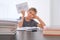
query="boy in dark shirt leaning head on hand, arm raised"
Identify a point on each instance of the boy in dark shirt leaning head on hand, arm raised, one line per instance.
(28, 20)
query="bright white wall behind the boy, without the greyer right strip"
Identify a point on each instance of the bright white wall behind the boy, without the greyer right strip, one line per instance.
(8, 9)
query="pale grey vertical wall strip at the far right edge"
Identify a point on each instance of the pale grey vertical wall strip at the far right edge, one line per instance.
(55, 12)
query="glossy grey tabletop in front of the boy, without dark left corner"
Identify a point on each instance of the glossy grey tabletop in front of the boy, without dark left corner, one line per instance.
(24, 35)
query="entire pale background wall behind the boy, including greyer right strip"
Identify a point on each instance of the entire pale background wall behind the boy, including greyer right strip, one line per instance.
(48, 10)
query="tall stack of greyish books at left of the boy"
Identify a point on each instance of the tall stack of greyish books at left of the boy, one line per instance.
(8, 26)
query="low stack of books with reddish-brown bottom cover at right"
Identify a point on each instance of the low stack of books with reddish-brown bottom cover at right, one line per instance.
(51, 31)
